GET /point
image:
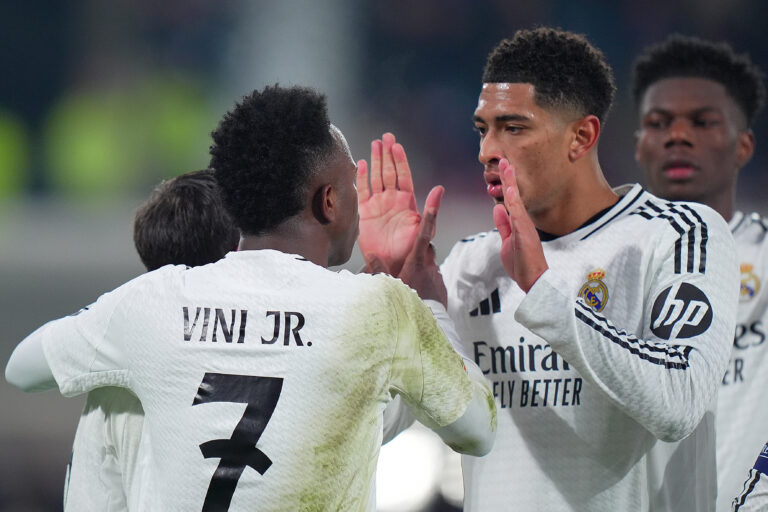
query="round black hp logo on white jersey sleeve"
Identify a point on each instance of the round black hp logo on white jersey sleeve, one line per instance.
(680, 311)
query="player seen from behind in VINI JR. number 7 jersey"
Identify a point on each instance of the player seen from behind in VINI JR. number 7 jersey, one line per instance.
(264, 375)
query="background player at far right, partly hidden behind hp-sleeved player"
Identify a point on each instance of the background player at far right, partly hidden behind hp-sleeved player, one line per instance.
(697, 101)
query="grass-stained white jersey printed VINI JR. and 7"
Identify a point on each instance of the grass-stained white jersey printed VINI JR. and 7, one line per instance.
(263, 377)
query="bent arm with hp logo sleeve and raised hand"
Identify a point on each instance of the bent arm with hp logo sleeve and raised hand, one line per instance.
(666, 376)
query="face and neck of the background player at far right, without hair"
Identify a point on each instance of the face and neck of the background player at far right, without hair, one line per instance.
(692, 141)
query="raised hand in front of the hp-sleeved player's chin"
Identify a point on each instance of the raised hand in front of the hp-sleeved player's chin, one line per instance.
(521, 252)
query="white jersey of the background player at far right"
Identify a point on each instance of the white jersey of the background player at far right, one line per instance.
(741, 414)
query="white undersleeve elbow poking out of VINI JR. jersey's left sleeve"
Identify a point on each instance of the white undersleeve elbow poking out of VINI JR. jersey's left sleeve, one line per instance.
(27, 368)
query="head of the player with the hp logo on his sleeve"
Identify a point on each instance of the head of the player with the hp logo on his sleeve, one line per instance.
(545, 94)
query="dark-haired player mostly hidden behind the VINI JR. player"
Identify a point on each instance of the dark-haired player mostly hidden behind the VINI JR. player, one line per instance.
(183, 222)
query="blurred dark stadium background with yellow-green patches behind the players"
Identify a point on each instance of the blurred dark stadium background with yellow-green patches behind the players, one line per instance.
(99, 101)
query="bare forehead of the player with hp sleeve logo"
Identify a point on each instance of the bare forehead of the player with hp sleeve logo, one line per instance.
(497, 99)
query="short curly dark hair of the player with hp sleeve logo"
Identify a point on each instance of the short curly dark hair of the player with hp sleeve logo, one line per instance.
(564, 68)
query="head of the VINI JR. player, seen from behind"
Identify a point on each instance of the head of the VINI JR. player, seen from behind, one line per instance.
(287, 176)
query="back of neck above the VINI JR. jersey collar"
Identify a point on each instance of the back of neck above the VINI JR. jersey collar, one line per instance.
(293, 237)
